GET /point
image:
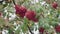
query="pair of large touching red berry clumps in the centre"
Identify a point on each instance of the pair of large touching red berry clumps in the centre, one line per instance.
(21, 11)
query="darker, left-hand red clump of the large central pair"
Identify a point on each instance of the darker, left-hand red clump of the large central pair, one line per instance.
(20, 10)
